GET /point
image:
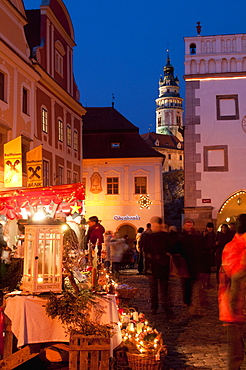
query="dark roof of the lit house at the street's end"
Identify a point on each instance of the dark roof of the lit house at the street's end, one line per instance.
(104, 126)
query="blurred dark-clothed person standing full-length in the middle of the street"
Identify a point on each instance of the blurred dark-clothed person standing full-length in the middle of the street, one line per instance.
(156, 246)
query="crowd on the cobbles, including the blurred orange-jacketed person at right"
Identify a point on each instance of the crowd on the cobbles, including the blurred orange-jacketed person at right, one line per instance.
(225, 250)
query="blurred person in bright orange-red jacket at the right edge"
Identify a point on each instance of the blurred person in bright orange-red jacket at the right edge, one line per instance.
(232, 293)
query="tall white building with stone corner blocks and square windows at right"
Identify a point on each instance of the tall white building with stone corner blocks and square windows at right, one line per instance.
(215, 128)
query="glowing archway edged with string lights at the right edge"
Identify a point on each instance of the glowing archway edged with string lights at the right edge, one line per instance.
(232, 207)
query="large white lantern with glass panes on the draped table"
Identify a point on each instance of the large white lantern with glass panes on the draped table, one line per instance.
(43, 249)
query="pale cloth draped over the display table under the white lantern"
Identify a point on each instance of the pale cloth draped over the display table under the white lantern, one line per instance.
(31, 324)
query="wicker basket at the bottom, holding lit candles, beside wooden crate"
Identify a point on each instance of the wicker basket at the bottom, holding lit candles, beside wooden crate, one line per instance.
(145, 362)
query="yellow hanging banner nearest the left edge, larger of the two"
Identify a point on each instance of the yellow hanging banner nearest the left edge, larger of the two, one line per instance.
(13, 163)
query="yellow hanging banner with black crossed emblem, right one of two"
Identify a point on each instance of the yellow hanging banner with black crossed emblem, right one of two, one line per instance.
(34, 162)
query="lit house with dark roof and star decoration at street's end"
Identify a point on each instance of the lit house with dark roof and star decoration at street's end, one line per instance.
(122, 175)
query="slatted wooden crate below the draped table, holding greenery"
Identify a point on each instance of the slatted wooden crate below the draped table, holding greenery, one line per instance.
(89, 353)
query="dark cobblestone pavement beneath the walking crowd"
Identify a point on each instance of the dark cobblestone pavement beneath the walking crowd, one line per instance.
(193, 341)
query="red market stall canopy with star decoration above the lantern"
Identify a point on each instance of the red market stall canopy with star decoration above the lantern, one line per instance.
(65, 197)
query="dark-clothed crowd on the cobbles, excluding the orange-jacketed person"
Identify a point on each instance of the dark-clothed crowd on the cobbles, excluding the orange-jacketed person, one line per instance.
(151, 251)
